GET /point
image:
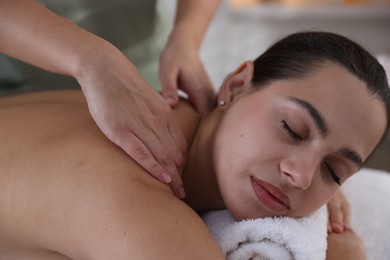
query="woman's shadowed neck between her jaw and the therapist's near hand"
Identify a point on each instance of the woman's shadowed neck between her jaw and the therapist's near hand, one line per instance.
(202, 191)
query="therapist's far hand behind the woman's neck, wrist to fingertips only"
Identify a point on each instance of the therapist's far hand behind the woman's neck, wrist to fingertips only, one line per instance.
(181, 68)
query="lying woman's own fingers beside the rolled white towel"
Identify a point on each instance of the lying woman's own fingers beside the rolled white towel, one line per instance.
(339, 212)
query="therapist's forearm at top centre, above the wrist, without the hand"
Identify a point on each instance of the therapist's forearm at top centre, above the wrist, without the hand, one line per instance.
(193, 18)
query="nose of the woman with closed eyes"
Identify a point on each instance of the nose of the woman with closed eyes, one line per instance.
(299, 172)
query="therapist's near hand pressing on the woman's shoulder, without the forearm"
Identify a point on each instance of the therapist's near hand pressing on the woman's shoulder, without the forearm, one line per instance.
(134, 116)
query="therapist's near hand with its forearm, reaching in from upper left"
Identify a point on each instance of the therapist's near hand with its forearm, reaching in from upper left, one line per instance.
(125, 108)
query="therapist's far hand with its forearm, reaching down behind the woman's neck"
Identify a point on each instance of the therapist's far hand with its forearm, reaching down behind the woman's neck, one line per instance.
(180, 64)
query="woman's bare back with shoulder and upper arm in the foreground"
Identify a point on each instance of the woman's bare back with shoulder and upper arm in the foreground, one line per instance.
(67, 192)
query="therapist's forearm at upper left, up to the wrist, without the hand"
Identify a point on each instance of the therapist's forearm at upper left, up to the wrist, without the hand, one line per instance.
(32, 33)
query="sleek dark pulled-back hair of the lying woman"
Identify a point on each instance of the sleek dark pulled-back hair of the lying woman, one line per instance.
(297, 54)
